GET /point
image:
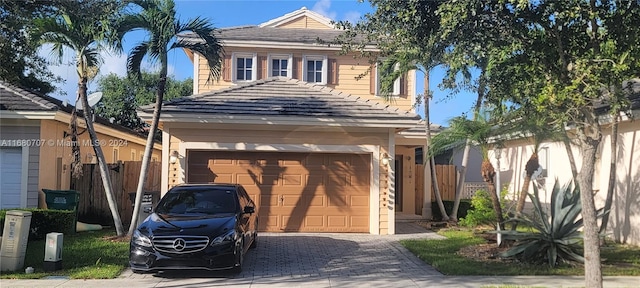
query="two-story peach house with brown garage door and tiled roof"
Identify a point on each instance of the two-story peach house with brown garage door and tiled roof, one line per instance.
(314, 144)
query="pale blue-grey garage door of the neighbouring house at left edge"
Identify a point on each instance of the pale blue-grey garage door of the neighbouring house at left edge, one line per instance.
(11, 177)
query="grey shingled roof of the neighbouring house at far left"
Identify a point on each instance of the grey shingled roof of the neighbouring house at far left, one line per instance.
(14, 98)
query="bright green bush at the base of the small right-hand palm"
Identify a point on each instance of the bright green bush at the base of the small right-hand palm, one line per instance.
(481, 212)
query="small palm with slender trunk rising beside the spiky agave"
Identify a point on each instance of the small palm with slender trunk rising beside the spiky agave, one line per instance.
(480, 132)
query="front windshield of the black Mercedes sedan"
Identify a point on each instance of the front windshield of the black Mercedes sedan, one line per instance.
(198, 200)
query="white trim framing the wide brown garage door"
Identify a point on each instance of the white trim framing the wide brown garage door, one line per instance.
(374, 150)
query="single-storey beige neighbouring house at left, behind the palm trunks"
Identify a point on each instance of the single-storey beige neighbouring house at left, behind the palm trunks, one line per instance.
(35, 148)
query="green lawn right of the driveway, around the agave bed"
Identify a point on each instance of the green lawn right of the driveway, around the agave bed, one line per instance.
(618, 260)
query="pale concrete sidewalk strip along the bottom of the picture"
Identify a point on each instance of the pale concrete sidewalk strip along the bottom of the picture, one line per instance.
(326, 281)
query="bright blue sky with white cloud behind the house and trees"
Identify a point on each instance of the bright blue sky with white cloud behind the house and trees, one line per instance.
(228, 13)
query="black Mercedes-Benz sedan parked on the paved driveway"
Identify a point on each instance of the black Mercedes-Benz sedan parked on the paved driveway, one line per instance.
(196, 226)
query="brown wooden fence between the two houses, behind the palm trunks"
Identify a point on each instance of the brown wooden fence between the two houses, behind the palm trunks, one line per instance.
(93, 206)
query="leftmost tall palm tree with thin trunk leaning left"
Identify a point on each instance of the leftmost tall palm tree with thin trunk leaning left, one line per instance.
(86, 33)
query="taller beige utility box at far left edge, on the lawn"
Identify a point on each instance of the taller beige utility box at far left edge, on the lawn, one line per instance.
(15, 236)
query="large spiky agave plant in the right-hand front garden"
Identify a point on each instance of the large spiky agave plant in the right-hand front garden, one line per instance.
(554, 236)
